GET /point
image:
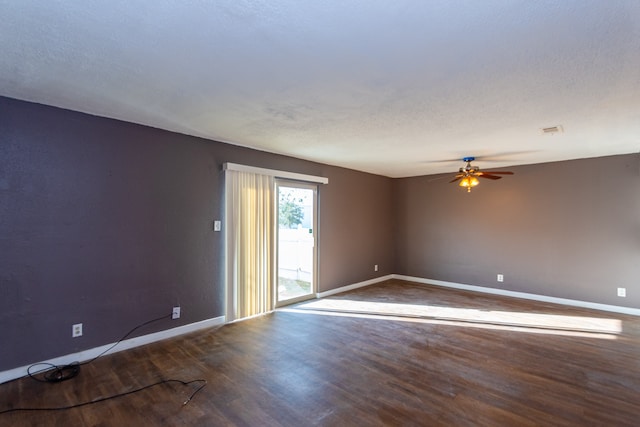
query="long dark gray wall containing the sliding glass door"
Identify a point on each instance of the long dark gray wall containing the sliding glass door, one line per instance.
(109, 224)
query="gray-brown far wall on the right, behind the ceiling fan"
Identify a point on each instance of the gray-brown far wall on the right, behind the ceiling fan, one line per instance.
(567, 229)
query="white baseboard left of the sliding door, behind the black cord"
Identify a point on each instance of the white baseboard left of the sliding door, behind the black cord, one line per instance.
(89, 354)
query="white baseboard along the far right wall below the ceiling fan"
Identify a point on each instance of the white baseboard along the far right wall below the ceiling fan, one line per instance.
(524, 295)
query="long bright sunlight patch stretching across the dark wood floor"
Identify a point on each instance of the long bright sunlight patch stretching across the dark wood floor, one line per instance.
(593, 327)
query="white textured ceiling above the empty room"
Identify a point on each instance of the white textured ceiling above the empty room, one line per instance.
(388, 87)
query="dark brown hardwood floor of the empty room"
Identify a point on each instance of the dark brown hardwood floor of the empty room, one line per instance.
(396, 353)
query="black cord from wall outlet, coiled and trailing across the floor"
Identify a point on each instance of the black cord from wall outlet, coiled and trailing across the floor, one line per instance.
(58, 373)
